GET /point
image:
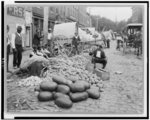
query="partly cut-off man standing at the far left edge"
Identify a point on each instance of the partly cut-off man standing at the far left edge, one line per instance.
(8, 47)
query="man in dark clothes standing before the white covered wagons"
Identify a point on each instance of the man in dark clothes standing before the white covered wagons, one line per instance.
(75, 42)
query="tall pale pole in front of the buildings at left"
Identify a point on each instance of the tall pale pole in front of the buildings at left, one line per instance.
(46, 16)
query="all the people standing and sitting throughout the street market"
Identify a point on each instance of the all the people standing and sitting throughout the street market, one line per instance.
(15, 42)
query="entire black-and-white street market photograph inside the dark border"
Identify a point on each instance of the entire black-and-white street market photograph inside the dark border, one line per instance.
(75, 58)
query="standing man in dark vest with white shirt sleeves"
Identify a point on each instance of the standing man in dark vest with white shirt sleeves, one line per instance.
(17, 46)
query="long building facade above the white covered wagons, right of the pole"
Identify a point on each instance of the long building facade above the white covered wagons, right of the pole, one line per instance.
(70, 13)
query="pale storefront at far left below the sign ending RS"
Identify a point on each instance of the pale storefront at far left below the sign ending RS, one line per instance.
(18, 16)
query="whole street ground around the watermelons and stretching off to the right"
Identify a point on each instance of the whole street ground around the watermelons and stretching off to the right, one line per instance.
(122, 94)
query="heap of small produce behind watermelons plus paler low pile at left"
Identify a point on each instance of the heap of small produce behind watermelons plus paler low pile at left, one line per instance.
(73, 69)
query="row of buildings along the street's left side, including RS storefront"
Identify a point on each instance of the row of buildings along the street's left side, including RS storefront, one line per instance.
(32, 18)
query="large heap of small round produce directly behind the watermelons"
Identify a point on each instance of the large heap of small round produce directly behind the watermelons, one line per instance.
(74, 69)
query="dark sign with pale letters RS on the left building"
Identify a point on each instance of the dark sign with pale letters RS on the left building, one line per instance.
(15, 11)
